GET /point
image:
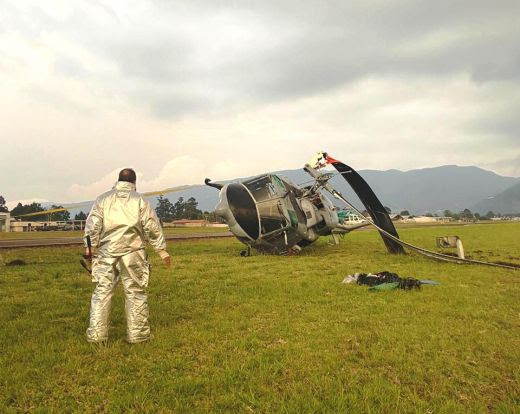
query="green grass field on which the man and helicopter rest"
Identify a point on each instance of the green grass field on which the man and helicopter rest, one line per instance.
(272, 334)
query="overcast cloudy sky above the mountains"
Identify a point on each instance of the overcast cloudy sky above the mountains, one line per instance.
(183, 90)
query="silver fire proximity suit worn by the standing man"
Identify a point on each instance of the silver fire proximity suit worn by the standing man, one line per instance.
(118, 225)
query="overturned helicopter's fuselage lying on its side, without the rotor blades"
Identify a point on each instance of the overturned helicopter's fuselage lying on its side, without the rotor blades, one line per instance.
(272, 215)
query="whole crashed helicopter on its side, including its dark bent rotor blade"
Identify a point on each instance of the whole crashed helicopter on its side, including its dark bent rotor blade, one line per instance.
(272, 215)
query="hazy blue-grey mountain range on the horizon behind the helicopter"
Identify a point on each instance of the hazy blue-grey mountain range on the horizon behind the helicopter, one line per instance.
(418, 191)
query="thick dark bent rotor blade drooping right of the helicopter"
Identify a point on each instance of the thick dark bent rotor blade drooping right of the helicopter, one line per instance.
(374, 207)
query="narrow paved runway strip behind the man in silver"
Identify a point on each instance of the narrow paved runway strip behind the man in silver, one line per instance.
(71, 241)
